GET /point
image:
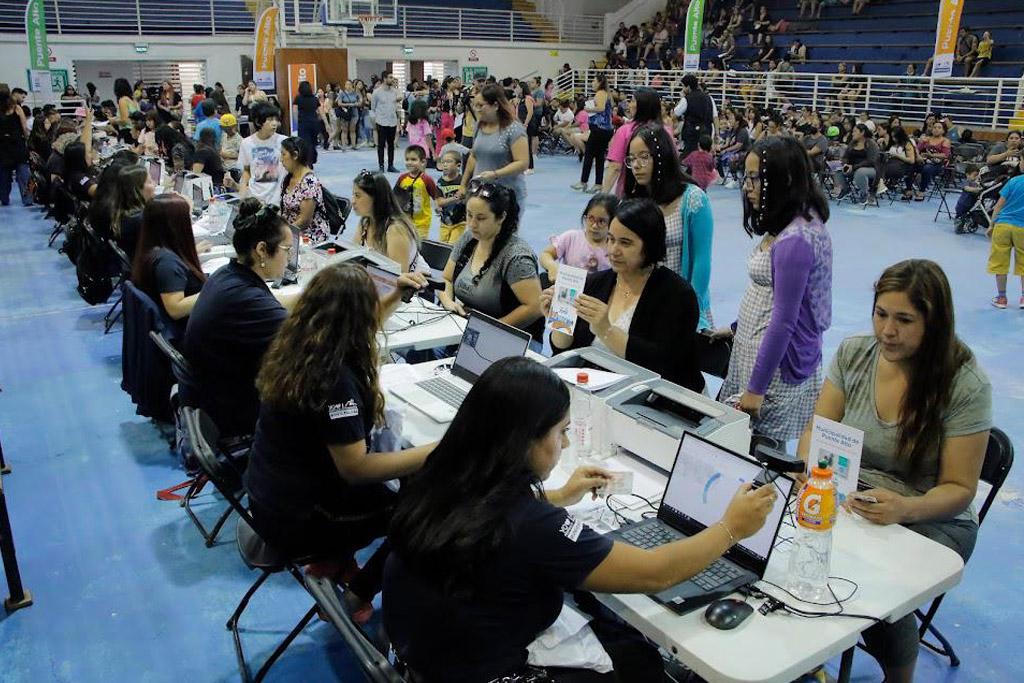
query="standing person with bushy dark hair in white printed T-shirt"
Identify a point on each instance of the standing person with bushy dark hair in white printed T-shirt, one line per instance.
(260, 156)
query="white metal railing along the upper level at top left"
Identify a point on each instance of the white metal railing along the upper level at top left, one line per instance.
(233, 17)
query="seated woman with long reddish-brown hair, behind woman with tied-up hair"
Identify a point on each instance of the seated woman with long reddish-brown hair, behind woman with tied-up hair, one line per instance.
(166, 266)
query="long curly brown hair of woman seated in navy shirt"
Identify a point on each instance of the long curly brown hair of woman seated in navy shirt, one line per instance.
(334, 326)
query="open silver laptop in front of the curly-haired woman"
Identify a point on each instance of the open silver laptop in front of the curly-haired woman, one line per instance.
(484, 343)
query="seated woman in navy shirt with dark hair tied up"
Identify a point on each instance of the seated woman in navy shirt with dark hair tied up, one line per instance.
(234, 323)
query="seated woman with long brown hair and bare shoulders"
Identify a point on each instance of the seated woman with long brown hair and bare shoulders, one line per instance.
(383, 226)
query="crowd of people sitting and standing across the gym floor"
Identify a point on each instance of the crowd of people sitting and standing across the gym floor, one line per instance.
(315, 485)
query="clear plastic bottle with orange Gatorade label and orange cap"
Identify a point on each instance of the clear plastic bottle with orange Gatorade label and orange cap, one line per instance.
(810, 559)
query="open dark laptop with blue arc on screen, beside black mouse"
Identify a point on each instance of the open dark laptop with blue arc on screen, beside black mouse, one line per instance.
(704, 480)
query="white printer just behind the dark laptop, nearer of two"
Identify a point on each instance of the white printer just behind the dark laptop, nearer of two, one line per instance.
(650, 419)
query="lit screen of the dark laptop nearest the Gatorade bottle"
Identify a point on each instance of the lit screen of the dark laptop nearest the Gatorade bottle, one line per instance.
(703, 483)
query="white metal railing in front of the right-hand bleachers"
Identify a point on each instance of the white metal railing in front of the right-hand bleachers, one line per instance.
(989, 103)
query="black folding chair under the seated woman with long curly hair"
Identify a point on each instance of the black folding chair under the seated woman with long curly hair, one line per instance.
(253, 548)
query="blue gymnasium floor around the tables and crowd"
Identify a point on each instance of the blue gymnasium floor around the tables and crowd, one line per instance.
(125, 589)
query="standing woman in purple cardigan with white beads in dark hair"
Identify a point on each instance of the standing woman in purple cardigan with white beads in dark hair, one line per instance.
(776, 369)
